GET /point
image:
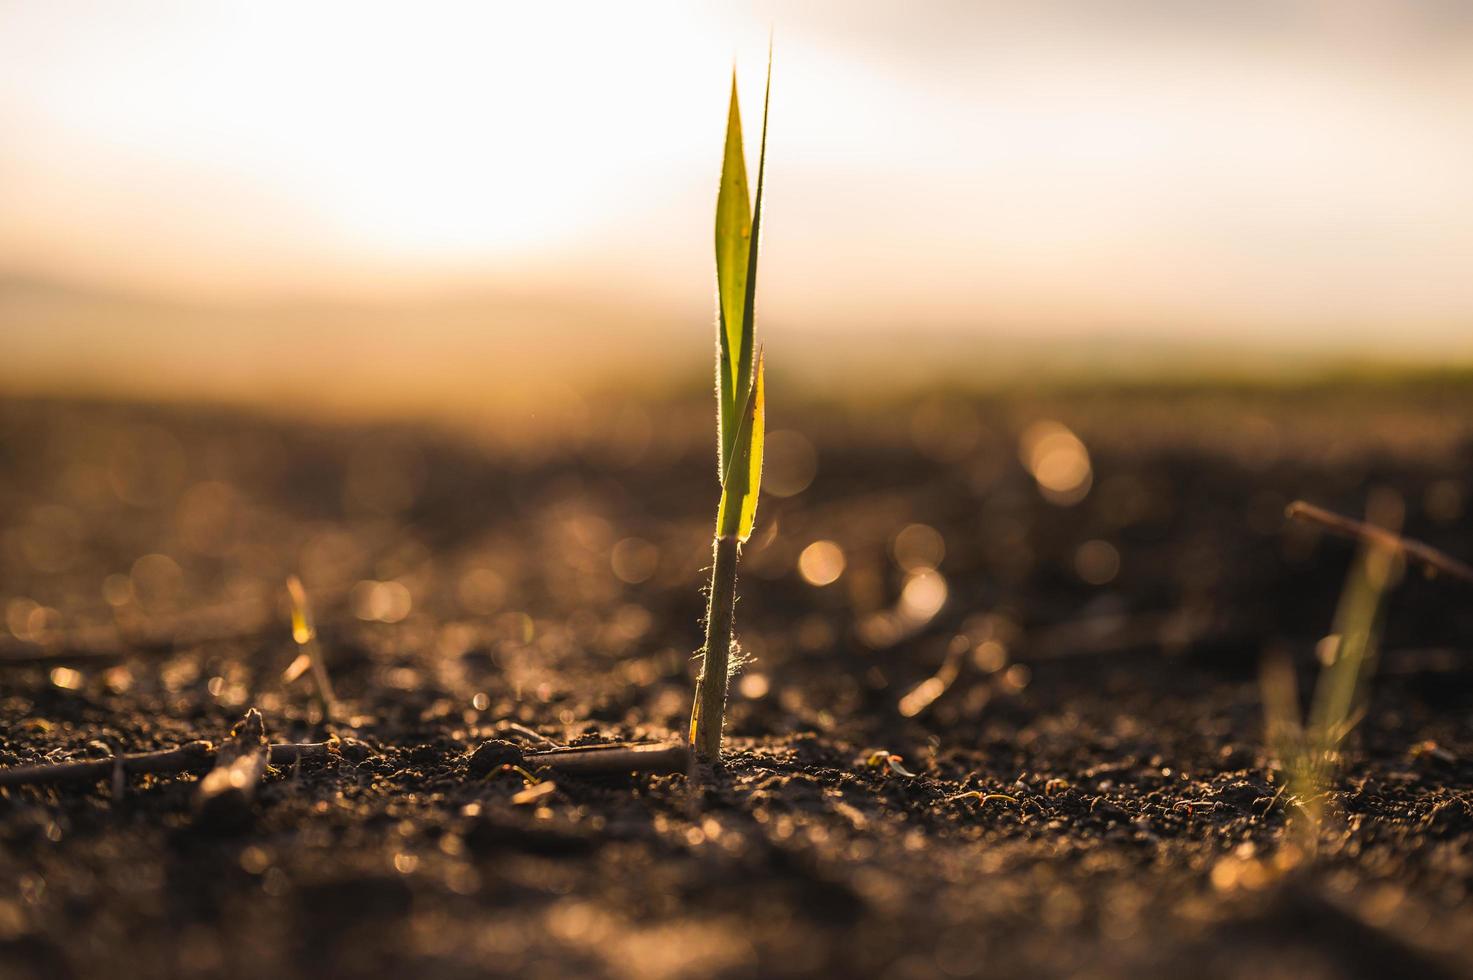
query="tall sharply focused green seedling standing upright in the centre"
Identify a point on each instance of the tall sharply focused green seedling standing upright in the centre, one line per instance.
(740, 406)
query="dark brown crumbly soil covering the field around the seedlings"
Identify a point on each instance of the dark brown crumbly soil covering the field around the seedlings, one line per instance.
(1091, 794)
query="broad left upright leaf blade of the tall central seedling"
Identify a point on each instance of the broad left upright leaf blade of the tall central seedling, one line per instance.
(734, 244)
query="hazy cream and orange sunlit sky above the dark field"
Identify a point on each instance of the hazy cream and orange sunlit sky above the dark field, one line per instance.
(1238, 173)
